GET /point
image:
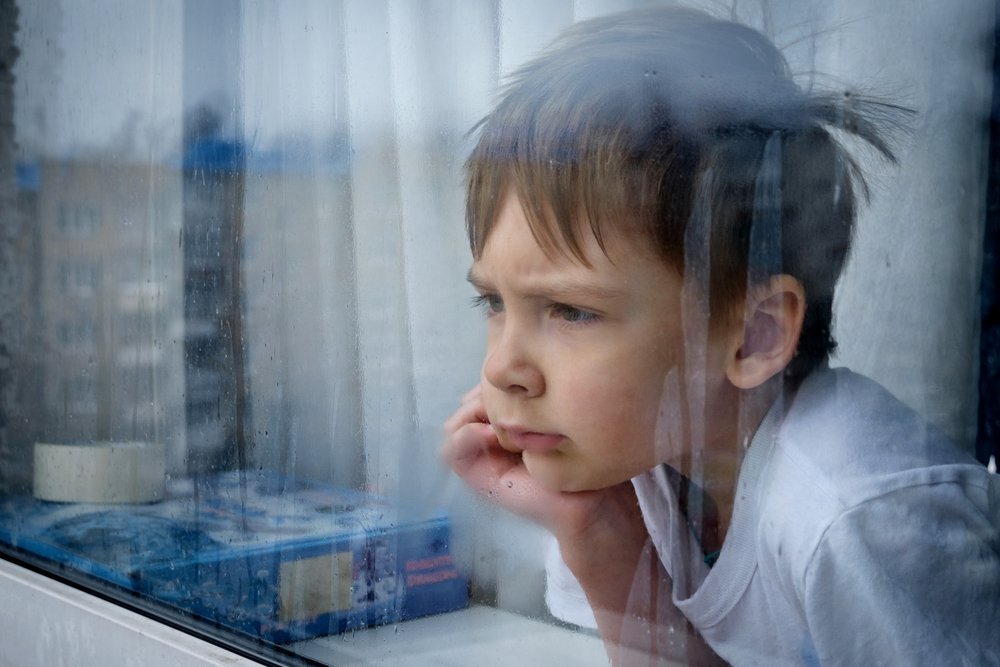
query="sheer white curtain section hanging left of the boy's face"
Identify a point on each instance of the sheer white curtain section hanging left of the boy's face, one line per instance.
(365, 107)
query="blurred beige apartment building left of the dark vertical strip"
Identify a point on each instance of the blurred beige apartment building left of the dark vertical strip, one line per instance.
(101, 296)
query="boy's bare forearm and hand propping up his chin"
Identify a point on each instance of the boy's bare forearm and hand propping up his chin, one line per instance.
(602, 539)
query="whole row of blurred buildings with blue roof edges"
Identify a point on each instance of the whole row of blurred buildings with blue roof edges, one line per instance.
(155, 311)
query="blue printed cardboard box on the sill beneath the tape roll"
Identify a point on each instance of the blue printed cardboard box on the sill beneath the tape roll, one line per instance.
(278, 559)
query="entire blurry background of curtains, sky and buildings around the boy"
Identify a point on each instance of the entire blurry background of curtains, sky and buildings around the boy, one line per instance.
(237, 228)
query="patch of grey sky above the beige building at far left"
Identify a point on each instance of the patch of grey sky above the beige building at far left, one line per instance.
(88, 71)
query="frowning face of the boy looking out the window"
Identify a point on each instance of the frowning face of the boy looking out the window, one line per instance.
(581, 363)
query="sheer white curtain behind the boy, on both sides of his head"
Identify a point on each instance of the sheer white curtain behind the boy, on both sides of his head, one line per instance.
(374, 340)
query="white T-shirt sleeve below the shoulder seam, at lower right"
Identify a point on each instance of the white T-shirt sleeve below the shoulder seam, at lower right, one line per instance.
(911, 577)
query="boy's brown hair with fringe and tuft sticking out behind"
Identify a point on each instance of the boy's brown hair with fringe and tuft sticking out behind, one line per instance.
(688, 133)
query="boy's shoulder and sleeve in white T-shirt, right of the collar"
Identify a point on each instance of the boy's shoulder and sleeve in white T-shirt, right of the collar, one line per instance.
(872, 518)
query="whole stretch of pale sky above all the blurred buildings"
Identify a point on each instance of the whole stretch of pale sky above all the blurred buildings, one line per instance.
(115, 75)
